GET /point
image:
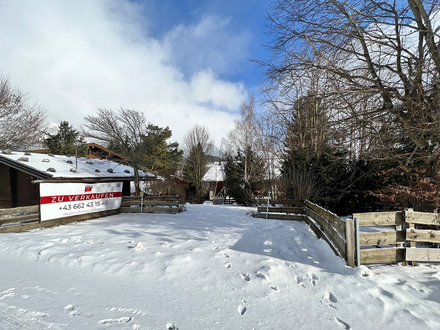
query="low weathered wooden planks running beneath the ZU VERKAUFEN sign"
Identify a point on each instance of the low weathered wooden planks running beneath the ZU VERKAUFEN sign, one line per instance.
(56, 222)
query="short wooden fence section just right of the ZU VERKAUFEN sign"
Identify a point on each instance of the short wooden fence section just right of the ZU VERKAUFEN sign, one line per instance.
(149, 204)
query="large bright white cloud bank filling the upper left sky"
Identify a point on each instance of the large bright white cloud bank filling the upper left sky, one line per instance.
(77, 56)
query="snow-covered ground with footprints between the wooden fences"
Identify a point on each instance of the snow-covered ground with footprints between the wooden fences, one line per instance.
(212, 267)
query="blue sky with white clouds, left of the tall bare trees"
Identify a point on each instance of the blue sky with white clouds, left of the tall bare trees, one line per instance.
(180, 62)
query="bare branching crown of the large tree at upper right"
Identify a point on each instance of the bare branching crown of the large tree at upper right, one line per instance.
(381, 64)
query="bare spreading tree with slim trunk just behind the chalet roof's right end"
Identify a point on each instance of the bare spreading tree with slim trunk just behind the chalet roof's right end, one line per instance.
(123, 131)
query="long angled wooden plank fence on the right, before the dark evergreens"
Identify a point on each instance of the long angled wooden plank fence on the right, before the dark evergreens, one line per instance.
(405, 236)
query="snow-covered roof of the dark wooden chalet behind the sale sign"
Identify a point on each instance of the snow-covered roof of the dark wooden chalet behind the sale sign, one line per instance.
(46, 166)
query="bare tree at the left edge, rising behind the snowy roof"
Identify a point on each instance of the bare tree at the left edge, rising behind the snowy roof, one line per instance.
(22, 123)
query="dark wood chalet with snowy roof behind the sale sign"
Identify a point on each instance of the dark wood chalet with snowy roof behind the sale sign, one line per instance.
(21, 173)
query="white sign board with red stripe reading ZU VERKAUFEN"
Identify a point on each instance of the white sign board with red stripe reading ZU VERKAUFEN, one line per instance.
(60, 200)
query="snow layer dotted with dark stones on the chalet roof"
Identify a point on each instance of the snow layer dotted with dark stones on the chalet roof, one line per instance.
(86, 167)
